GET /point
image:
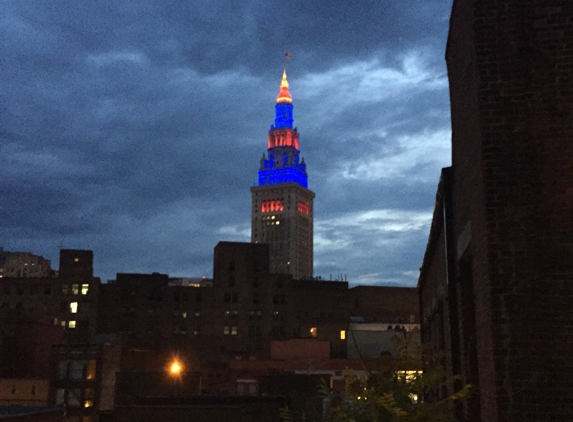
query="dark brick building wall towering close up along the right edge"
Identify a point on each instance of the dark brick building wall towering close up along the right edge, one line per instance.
(496, 284)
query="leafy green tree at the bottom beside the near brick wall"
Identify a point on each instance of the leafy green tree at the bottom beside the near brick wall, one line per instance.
(404, 393)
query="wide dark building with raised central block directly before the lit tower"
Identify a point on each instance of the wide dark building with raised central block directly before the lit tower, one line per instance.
(243, 309)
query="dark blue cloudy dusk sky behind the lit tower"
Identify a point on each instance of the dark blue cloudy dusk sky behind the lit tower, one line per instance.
(134, 128)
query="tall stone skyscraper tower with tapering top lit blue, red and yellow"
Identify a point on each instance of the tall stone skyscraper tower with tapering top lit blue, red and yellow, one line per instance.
(282, 210)
